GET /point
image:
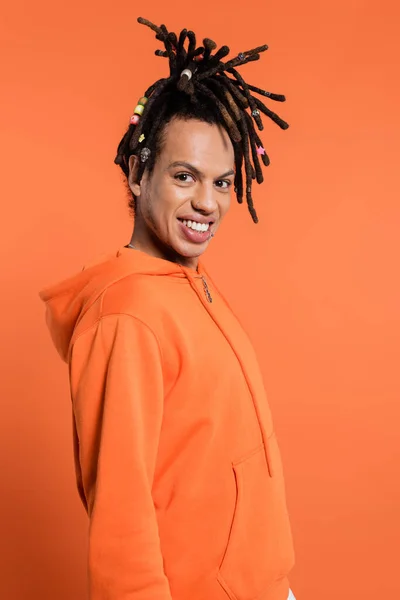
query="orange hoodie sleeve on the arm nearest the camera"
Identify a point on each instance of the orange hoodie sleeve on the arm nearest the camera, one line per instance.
(117, 394)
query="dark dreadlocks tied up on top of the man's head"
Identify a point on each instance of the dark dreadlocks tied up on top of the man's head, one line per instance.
(204, 92)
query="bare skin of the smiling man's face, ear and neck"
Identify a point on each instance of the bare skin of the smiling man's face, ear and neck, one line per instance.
(200, 187)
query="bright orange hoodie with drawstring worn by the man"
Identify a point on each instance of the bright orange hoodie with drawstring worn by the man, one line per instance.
(176, 459)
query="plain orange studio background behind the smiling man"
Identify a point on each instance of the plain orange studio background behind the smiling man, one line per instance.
(316, 282)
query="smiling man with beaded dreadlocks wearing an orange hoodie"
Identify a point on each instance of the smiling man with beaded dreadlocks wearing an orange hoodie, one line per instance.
(176, 458)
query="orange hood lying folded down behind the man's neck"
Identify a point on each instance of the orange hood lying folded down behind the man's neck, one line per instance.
(67, 301)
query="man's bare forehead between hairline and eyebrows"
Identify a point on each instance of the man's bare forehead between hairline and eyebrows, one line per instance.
(205, 145)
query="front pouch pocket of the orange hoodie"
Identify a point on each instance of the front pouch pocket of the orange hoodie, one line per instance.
(259, 550)
